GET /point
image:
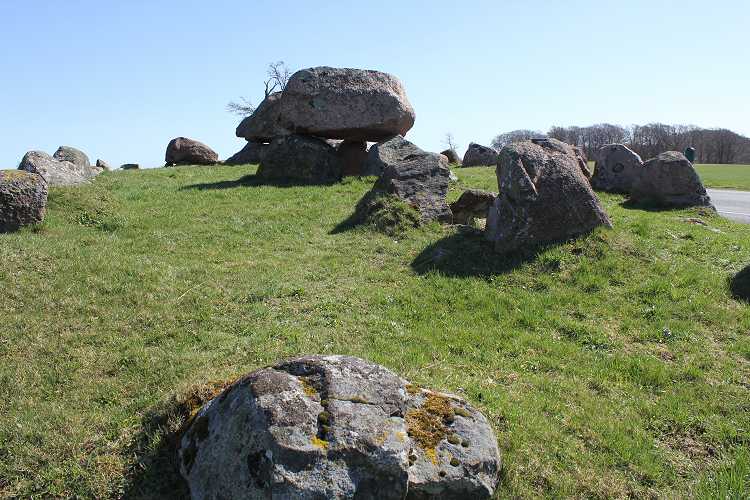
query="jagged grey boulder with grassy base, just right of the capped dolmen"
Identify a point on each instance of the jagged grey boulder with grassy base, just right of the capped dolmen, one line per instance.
(415, 176)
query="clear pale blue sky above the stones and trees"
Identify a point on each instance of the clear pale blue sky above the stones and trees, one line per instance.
(120, 79)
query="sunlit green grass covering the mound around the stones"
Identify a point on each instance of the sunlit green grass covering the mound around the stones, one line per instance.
(612, 366)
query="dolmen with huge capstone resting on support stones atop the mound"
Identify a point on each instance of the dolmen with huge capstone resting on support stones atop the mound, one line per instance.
(353, 106)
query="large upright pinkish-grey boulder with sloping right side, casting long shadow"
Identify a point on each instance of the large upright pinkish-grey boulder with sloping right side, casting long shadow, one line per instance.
(544, 197)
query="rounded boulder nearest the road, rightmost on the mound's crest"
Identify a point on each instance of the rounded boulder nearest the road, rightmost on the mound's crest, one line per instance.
(670, 181)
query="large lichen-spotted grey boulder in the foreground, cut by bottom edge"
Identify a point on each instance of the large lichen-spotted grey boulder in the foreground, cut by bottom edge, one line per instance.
(337, 427)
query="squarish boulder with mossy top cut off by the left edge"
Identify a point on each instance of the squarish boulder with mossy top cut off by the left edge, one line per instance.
(23, 199)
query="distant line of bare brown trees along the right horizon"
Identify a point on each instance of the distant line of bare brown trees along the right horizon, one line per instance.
(711, 145)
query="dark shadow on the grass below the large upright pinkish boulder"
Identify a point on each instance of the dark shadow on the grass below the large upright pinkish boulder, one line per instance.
(467, 254)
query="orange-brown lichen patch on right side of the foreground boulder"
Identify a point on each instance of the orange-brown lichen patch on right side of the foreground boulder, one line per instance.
(426, 425)
